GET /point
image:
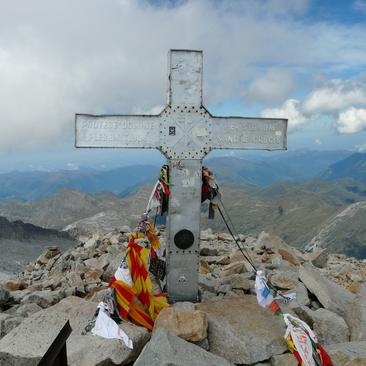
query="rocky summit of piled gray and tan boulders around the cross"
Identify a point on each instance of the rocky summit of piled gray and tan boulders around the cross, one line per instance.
(227, 327)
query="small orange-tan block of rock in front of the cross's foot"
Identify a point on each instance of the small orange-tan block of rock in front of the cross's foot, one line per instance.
(190, 325)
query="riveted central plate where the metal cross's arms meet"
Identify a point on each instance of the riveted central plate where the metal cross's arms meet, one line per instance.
(185, 132)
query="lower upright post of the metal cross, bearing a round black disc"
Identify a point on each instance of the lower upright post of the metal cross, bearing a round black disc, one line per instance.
(184, 214)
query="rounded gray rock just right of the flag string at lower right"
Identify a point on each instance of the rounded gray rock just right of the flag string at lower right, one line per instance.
(329, 327)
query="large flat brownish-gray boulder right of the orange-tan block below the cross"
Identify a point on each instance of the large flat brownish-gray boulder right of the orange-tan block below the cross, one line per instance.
(241, 331)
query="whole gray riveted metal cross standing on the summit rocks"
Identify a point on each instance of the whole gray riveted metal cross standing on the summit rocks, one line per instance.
(185, 132)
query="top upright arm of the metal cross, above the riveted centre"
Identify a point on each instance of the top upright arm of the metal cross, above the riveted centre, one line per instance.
(185, 78)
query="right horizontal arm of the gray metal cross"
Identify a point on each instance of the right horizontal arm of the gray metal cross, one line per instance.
(249, 133)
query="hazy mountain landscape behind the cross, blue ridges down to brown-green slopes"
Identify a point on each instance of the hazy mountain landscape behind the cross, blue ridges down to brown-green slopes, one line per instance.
(300, 196)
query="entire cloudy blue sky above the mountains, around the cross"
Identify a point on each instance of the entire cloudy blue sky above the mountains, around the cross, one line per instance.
(300, 59)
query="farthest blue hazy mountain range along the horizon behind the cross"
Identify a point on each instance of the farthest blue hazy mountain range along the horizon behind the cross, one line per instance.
(261, 170)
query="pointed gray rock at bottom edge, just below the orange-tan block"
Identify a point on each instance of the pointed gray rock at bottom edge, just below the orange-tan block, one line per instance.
(166, 349)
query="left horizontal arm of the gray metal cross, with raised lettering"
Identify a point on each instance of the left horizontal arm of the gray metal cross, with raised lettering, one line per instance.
(130, 131)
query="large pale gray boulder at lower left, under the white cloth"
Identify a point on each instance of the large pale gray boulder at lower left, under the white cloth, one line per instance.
(26, 344)
